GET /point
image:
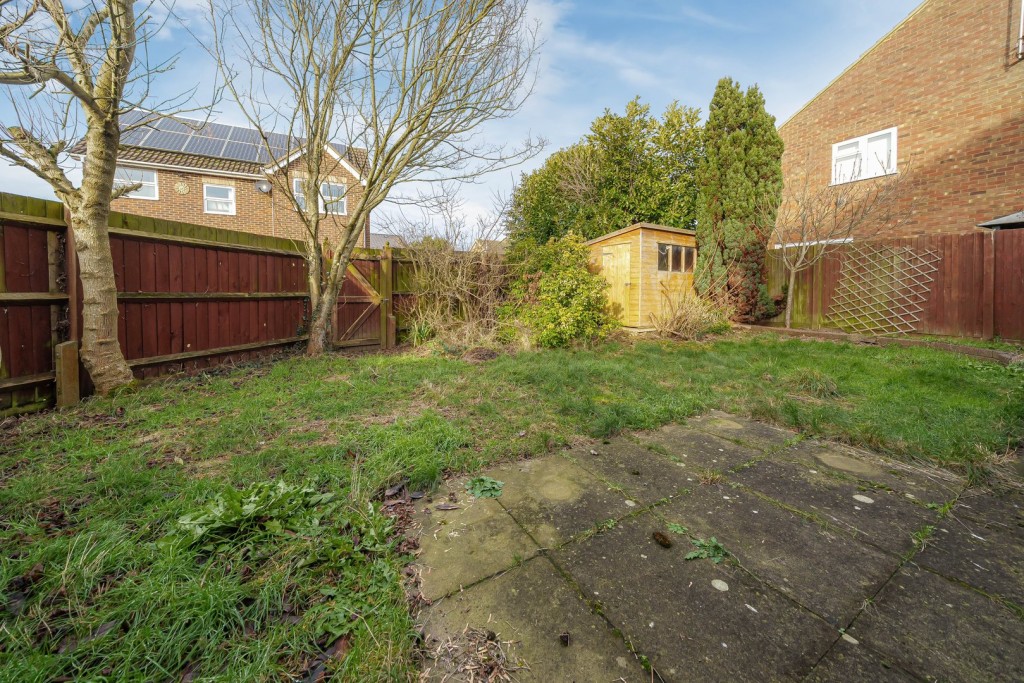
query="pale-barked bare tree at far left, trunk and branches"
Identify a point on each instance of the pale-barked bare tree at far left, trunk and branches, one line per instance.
(70, 71)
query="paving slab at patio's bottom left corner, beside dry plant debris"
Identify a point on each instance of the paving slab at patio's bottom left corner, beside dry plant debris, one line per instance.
(533, 606)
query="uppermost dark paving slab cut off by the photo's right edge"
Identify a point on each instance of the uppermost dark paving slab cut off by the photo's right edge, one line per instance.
(982, 543)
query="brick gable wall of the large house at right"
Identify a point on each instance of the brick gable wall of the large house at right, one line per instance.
(951, 80)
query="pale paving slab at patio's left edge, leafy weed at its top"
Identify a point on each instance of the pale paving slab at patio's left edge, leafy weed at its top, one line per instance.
(463, 546)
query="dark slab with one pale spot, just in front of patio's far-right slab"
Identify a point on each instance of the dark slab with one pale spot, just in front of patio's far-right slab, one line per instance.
(882, 518)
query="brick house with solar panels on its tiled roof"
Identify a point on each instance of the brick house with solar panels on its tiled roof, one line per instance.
(224, 177)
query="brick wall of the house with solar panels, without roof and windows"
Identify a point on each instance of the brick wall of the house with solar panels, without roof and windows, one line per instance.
(254, 212)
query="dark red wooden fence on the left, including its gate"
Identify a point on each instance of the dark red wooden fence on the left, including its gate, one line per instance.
(189, 297)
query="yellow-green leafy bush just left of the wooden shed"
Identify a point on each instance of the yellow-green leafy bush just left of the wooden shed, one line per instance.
(556, 301)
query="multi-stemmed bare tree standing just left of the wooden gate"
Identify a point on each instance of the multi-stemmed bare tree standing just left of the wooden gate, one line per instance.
(405, 84)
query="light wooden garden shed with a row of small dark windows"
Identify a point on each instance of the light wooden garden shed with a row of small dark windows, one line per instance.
(649, 269)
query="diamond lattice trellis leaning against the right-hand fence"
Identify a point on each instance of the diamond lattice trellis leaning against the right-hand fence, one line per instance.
(882, 289)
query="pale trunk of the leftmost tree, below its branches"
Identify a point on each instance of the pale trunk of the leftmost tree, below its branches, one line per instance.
(101, 351)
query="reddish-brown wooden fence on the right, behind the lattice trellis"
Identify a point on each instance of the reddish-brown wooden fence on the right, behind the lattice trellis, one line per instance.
(978, 290)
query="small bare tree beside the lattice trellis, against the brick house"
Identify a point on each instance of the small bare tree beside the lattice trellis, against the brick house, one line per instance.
(815, 221)
